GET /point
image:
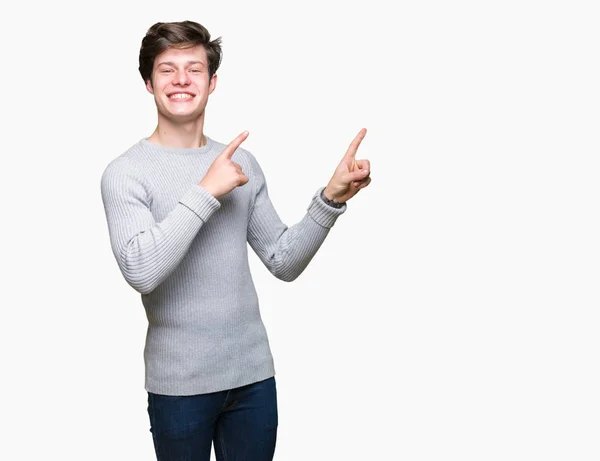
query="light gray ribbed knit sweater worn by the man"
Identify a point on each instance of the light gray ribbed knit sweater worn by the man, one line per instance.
(185, 251)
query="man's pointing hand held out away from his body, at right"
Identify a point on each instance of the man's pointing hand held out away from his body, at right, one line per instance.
(351, 175)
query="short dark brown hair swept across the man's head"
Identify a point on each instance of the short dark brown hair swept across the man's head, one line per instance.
(184, 34)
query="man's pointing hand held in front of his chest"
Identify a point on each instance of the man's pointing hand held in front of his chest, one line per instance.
(224, 175)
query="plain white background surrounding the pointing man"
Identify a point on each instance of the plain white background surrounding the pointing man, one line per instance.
(452, 313)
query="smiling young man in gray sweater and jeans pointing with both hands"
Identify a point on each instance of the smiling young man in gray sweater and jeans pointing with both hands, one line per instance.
(181, 208)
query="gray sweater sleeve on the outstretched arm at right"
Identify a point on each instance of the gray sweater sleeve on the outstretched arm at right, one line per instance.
(285, 251)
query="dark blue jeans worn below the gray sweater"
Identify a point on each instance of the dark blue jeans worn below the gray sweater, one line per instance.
(242, 423)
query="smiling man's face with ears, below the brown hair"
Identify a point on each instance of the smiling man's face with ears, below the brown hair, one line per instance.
(181, 84)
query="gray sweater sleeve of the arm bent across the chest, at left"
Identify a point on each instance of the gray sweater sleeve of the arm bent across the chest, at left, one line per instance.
(147, 251)
